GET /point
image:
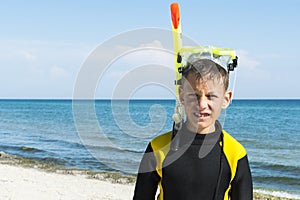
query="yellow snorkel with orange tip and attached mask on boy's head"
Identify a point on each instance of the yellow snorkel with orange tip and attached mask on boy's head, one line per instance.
(225, 57)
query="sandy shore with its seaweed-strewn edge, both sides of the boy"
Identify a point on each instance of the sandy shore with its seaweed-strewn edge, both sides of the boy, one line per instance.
(24, 178)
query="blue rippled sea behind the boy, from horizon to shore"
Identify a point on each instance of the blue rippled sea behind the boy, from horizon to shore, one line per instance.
(111, 135)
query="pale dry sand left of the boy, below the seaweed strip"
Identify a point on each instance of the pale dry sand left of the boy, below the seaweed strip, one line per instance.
(25, 183)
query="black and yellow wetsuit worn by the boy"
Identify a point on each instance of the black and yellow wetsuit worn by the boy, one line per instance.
(206, 167)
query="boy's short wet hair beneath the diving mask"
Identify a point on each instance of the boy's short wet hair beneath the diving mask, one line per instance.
(206, 69)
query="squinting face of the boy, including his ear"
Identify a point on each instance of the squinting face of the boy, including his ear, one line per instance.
(203, 101)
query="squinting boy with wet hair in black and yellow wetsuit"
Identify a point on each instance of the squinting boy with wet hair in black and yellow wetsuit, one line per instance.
(208, 163)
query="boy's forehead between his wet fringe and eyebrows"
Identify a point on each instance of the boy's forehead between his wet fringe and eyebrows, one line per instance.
(194, 83)
